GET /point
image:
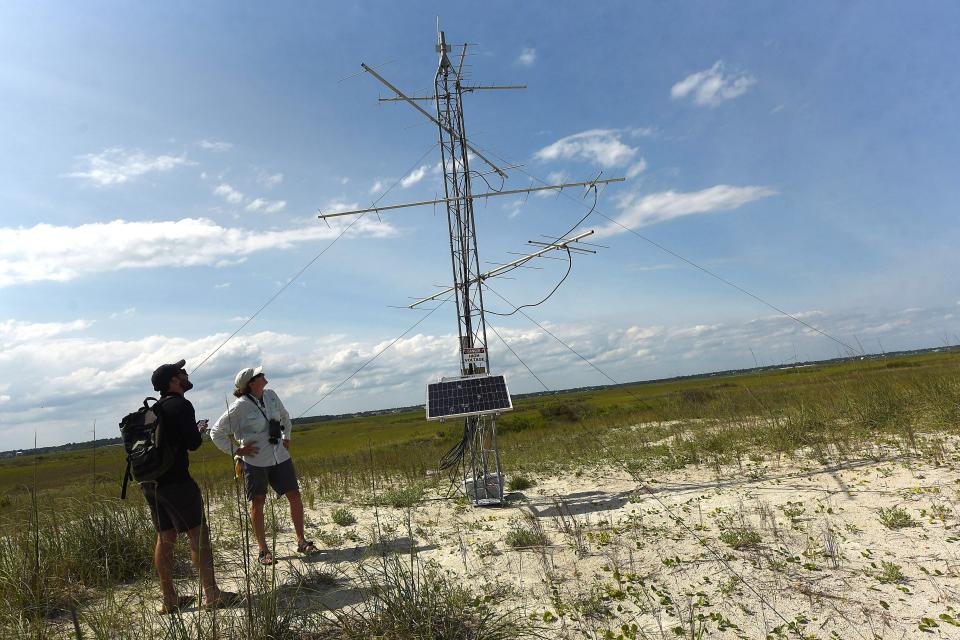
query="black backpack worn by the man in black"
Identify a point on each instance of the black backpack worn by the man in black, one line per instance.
(148, 456)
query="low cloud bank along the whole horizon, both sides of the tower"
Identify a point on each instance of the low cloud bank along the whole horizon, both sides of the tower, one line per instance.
(65, 379)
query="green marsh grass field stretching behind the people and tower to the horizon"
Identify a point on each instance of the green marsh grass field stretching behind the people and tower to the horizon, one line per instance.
(67, 536)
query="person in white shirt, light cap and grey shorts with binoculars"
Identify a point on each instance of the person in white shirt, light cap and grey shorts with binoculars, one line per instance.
(260, 423)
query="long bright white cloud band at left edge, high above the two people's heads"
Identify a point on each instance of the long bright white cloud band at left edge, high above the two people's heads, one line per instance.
(61, 253)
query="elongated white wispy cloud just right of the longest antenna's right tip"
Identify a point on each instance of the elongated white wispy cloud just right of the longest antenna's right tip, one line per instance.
(640, 211)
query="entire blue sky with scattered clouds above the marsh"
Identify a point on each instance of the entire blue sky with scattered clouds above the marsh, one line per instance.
(162, 166)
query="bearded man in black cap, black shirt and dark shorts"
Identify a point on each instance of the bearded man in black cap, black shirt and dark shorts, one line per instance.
(176, 504)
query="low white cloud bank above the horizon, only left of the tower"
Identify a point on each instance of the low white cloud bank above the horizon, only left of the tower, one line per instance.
(64, 381)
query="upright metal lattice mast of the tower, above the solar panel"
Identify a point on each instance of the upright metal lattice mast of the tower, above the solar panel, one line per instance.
(471, 324)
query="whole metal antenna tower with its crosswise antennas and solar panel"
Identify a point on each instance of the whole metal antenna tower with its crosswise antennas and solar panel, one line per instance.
(475, 394)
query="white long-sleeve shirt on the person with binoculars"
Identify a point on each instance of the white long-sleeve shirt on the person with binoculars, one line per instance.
(244, 421)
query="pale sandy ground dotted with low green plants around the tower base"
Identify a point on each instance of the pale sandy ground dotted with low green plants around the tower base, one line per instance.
(794, 548)
